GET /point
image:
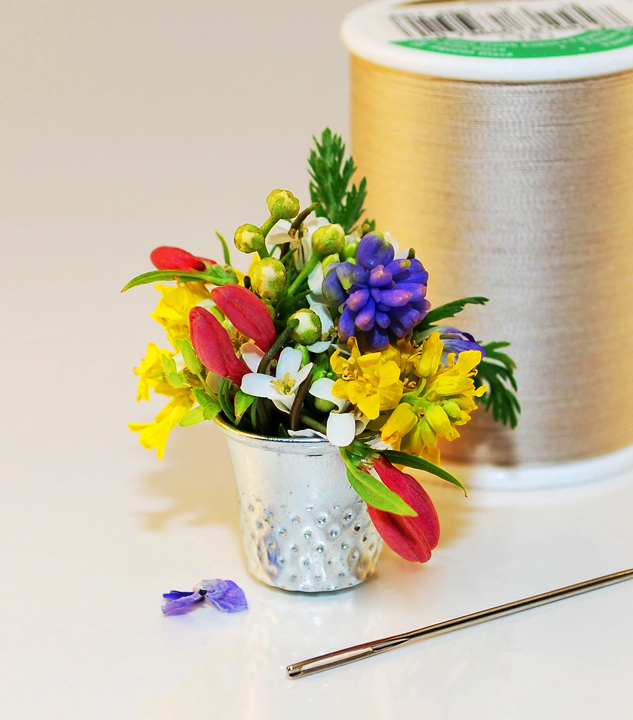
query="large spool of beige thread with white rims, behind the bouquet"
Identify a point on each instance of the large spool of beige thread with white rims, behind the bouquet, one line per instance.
(497, 139)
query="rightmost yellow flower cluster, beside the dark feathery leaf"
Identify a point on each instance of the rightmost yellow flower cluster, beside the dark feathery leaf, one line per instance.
(443, 398)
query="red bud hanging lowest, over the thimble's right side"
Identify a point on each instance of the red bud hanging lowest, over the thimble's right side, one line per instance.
(412, 538)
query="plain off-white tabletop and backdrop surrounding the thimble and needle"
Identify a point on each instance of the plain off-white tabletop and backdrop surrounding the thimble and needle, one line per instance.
(129, 125)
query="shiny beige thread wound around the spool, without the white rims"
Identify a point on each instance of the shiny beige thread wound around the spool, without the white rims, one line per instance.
(522, 193)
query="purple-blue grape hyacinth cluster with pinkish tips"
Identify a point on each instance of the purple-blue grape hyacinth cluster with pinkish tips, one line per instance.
(381, 296)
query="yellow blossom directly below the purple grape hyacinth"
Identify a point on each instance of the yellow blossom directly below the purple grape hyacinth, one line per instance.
(371, 382)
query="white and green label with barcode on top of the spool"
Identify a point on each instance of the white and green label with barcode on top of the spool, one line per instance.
(536, 29)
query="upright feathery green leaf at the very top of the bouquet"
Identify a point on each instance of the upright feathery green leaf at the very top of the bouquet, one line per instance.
(331, 175)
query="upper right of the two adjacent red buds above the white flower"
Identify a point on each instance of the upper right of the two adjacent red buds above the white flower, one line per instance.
(247, 312)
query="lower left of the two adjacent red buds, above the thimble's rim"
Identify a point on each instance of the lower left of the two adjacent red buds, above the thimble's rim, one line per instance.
(213, 346)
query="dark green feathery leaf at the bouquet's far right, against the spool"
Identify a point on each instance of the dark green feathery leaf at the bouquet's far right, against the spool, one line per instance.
(496, 370)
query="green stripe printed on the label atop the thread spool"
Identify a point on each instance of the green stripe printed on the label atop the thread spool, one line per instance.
(587, 42)
